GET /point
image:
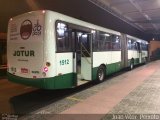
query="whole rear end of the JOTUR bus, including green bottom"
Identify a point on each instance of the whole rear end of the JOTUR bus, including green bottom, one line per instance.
(25, 49)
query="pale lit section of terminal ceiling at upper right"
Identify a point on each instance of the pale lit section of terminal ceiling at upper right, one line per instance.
(143, 14)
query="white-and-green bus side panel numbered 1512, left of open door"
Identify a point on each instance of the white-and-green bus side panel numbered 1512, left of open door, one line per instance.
(66, 78)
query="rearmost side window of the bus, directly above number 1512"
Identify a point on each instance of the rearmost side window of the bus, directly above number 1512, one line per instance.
(64, 43)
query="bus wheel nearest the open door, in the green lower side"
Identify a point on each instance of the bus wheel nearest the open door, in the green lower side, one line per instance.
(101, 73)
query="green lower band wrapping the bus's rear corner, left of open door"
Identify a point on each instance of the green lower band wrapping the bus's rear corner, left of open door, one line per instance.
(57, 82)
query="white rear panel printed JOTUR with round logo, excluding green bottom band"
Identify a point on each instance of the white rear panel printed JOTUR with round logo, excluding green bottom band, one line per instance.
(25, 33)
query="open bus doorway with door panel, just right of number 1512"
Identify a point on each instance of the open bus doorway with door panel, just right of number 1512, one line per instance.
(83, 56)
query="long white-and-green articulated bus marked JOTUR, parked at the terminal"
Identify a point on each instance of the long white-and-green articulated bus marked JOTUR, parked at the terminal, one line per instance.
(49, 50)
